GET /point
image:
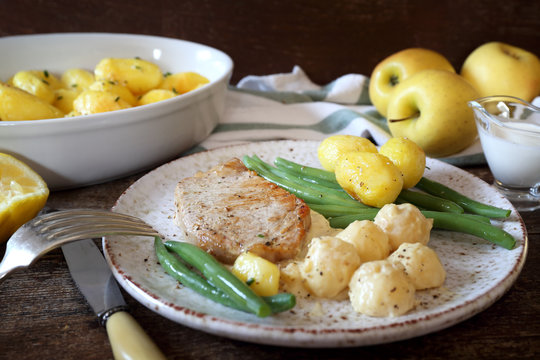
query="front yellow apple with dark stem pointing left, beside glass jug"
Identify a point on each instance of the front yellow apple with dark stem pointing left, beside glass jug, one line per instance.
(431, 109)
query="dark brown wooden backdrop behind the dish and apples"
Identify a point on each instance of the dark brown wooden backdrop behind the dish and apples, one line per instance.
(326, 38)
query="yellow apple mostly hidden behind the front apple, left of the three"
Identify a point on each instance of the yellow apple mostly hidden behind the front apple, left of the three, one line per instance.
(399, 66)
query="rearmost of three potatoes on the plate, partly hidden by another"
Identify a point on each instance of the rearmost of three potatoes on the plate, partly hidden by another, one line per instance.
(333, 147)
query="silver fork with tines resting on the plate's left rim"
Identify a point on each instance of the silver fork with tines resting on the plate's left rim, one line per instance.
(54, 228)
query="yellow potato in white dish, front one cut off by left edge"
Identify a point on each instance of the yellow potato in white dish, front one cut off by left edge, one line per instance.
(17, 104)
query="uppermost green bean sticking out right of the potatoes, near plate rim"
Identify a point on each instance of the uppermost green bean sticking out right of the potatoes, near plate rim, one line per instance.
(468, 204)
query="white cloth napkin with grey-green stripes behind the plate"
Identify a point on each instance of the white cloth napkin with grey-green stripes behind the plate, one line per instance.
(290, 106)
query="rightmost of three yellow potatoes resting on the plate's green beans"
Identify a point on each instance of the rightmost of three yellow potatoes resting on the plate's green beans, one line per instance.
(409, 158)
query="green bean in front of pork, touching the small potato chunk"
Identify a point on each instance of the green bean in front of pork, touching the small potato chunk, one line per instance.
(219, 276)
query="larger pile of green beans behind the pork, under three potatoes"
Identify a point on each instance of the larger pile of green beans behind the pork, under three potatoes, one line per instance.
(449, 209)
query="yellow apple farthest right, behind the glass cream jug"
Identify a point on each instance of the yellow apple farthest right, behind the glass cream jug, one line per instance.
(496, 68)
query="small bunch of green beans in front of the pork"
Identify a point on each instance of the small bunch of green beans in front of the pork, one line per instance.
(215, 281)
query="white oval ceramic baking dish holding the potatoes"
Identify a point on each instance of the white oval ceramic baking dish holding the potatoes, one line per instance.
(82, 150)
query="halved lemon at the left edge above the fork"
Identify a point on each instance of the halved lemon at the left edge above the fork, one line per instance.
(23, 193)
